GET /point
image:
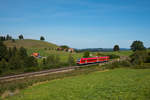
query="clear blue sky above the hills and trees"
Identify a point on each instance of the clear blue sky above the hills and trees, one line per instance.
(78, 23)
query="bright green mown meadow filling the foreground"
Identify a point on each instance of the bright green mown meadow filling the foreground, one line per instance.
(117, 84)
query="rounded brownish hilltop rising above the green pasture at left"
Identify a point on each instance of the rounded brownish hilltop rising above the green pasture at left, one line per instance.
(29, 43)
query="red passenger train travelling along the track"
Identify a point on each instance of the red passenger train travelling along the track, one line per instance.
(92, 60)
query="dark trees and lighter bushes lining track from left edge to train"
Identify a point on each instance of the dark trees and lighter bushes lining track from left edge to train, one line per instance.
(14, 60)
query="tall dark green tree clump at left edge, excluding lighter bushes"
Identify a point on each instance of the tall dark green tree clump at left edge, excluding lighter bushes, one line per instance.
(13, 59)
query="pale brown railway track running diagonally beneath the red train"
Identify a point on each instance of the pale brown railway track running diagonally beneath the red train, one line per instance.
(51, 71)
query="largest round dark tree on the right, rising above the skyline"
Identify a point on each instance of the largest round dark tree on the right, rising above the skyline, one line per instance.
(137, 45)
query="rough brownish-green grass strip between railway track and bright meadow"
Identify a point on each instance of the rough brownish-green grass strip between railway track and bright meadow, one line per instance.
(23, 83)
